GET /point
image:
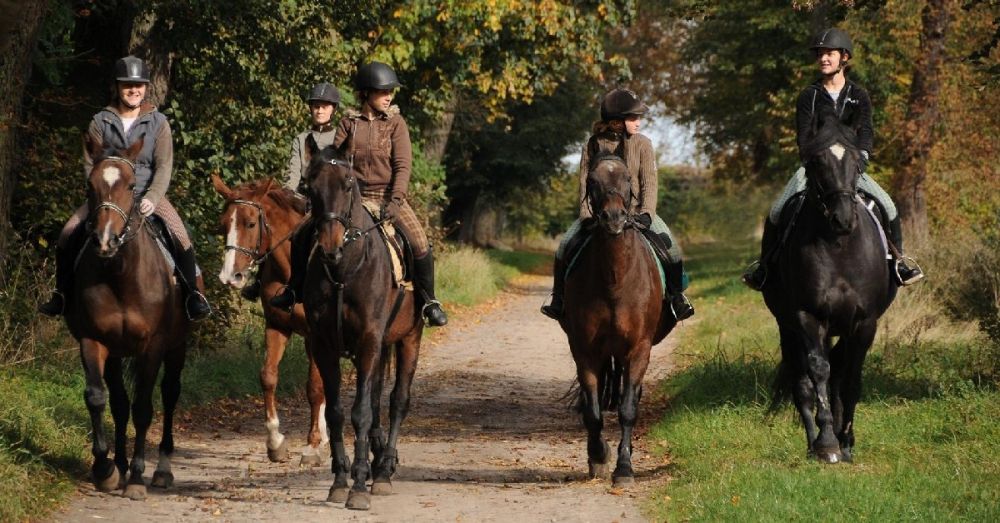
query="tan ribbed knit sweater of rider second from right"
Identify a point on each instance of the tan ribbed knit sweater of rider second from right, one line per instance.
(638, 153)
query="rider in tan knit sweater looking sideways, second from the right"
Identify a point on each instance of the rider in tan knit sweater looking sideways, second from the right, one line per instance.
(618, 130)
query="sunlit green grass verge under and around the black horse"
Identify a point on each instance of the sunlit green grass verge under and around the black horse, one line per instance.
(927, 437)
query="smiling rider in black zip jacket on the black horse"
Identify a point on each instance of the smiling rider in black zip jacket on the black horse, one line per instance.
(832, 92)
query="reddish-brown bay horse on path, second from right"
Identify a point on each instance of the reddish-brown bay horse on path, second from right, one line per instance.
(614, 314)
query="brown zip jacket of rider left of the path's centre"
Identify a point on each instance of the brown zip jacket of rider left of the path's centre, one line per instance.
(380, 148)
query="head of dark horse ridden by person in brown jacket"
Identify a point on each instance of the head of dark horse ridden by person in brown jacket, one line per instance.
(336, 201)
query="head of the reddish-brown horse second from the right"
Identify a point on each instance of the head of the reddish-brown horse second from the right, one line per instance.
(609, 192)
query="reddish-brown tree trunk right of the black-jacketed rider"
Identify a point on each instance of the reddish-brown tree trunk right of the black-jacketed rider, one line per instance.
(922, 119)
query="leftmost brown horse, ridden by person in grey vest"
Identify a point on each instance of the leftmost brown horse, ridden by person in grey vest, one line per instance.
(125, 303)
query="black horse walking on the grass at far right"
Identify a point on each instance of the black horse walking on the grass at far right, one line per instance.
(832, 281)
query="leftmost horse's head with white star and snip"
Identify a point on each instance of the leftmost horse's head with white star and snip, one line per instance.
(111, 199)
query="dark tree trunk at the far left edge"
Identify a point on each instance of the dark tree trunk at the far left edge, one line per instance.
(15, 71)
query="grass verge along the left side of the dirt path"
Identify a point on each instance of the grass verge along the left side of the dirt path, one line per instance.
(44, 425)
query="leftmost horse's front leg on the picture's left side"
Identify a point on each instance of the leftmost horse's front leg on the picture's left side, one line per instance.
(93, 356)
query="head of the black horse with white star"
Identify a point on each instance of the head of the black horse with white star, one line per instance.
(833, 167)
